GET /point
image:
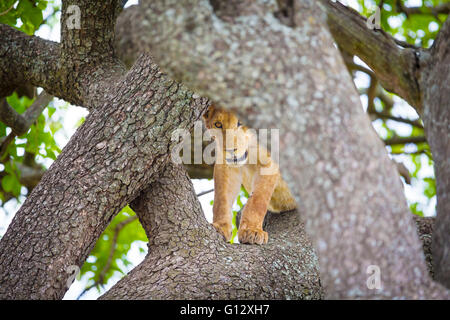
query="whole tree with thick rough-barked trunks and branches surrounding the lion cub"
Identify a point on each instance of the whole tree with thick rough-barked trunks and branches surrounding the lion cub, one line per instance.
(276, 66)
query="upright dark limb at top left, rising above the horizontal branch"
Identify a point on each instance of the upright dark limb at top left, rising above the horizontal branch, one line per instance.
(88, 62)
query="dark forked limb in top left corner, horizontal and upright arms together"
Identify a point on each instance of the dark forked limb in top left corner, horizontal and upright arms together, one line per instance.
(80, 69)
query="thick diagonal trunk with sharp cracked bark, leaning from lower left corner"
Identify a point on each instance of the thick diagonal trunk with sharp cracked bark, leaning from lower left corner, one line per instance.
(117, 151)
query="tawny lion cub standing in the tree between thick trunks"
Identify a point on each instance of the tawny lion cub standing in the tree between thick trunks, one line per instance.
(241, 161)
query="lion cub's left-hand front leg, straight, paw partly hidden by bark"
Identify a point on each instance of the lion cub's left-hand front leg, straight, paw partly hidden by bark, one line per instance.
(227, 184)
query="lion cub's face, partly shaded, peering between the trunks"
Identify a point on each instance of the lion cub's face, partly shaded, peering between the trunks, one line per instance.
(231, 136)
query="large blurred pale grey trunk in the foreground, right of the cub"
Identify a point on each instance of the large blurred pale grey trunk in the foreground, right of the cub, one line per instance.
(333, 161)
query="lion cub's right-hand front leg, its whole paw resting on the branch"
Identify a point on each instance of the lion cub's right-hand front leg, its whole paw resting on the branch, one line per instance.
(250, 227)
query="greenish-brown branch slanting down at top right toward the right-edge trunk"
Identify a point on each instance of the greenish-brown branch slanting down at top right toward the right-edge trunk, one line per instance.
(396, 68)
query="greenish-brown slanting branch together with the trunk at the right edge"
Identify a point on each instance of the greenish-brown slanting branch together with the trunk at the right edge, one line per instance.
(421, 77)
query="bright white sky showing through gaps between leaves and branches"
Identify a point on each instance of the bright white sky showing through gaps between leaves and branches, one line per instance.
(71, 115)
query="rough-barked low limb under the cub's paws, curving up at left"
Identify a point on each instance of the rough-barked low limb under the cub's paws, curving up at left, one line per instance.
(188, 259)
